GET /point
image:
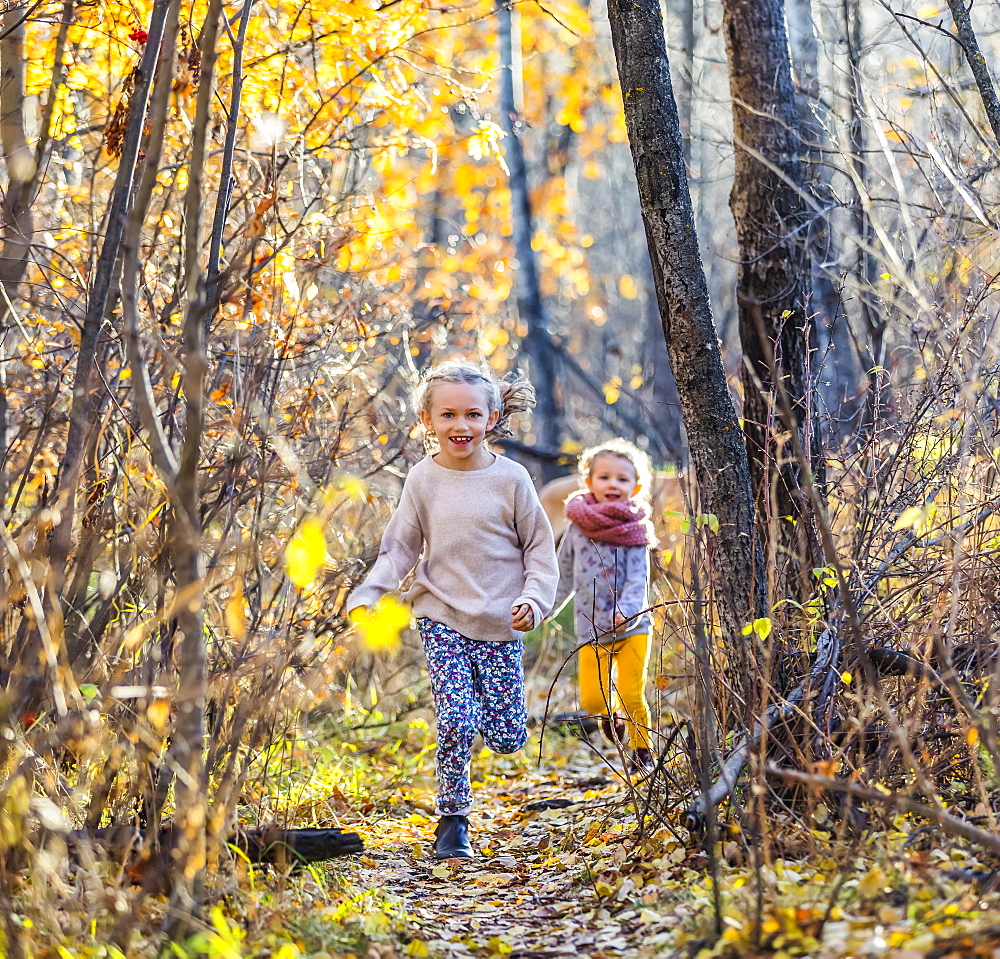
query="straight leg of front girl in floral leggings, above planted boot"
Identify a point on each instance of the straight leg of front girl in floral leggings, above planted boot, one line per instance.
(457, 710)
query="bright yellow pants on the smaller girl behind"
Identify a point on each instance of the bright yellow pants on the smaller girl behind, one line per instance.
(601, 695)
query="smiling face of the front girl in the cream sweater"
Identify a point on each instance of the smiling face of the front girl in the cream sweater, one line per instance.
(459, 417)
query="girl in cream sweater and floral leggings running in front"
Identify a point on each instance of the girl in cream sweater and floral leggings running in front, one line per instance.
(470, 521)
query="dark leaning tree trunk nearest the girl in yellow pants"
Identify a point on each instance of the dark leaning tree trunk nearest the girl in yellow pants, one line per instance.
(714, 438)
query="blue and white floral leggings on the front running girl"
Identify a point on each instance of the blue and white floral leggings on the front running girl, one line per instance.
(478, 687)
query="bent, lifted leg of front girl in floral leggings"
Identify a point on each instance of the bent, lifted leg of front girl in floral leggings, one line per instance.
(499, 677)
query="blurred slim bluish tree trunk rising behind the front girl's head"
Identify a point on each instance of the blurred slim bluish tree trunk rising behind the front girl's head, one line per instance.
(530, 306)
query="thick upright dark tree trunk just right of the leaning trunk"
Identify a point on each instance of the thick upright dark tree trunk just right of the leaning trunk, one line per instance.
(774, 291)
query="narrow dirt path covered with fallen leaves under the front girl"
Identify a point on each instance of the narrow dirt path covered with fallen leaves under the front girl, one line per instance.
(539, 887)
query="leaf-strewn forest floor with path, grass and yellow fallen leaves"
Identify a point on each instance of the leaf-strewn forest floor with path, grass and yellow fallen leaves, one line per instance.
(573, 861)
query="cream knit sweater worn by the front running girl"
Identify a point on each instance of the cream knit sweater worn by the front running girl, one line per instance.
(487, 546)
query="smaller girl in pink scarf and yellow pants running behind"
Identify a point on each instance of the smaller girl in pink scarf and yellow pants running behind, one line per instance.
(604, 563)
